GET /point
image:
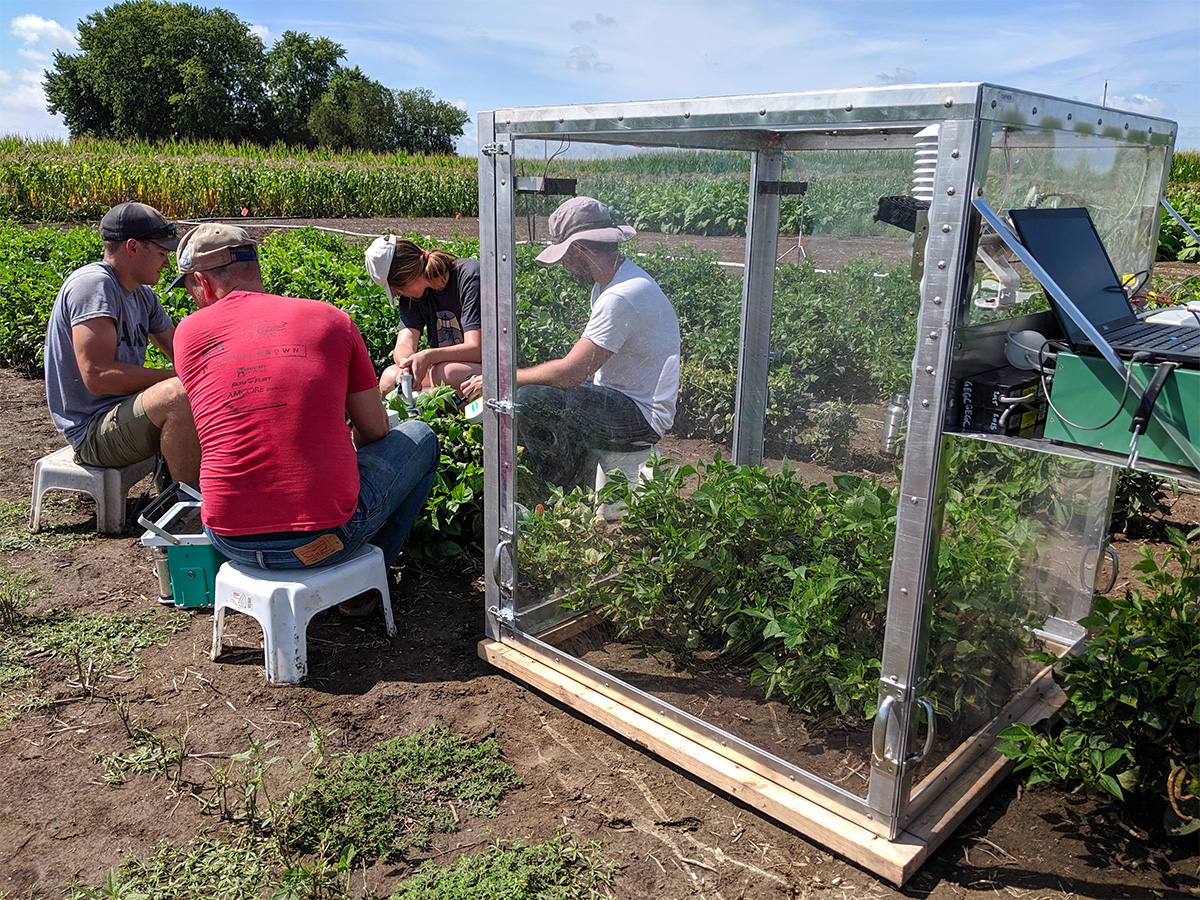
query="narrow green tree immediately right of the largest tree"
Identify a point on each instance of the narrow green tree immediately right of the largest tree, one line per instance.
(299, 69)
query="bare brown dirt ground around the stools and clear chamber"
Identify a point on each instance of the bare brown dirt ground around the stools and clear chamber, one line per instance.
(673, 836)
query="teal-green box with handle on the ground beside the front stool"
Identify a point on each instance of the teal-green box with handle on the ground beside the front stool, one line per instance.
(191, 560)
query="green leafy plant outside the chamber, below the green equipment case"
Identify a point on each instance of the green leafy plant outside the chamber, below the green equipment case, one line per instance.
(1133, 695)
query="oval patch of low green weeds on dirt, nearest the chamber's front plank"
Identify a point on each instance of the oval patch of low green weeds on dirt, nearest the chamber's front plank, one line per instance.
(395, 796)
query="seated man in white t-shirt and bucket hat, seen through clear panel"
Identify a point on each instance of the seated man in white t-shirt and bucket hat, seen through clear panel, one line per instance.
(616, 388)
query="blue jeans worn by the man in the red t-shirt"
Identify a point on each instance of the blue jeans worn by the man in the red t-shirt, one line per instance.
(395, 477)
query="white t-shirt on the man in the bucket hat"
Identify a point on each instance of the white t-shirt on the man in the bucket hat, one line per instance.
(634, 320)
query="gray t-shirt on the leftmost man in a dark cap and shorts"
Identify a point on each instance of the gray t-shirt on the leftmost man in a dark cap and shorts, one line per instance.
(93, 292)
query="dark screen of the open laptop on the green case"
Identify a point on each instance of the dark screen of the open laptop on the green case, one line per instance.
(1065, 243)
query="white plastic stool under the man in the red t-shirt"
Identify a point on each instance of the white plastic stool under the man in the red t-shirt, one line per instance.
(284, 601)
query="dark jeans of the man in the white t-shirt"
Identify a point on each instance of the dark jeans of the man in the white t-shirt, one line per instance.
(561, 428)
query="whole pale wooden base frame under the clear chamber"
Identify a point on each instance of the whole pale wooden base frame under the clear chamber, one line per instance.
(787, 803)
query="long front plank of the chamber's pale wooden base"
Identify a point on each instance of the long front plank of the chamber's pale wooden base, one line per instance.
(895, 861)
